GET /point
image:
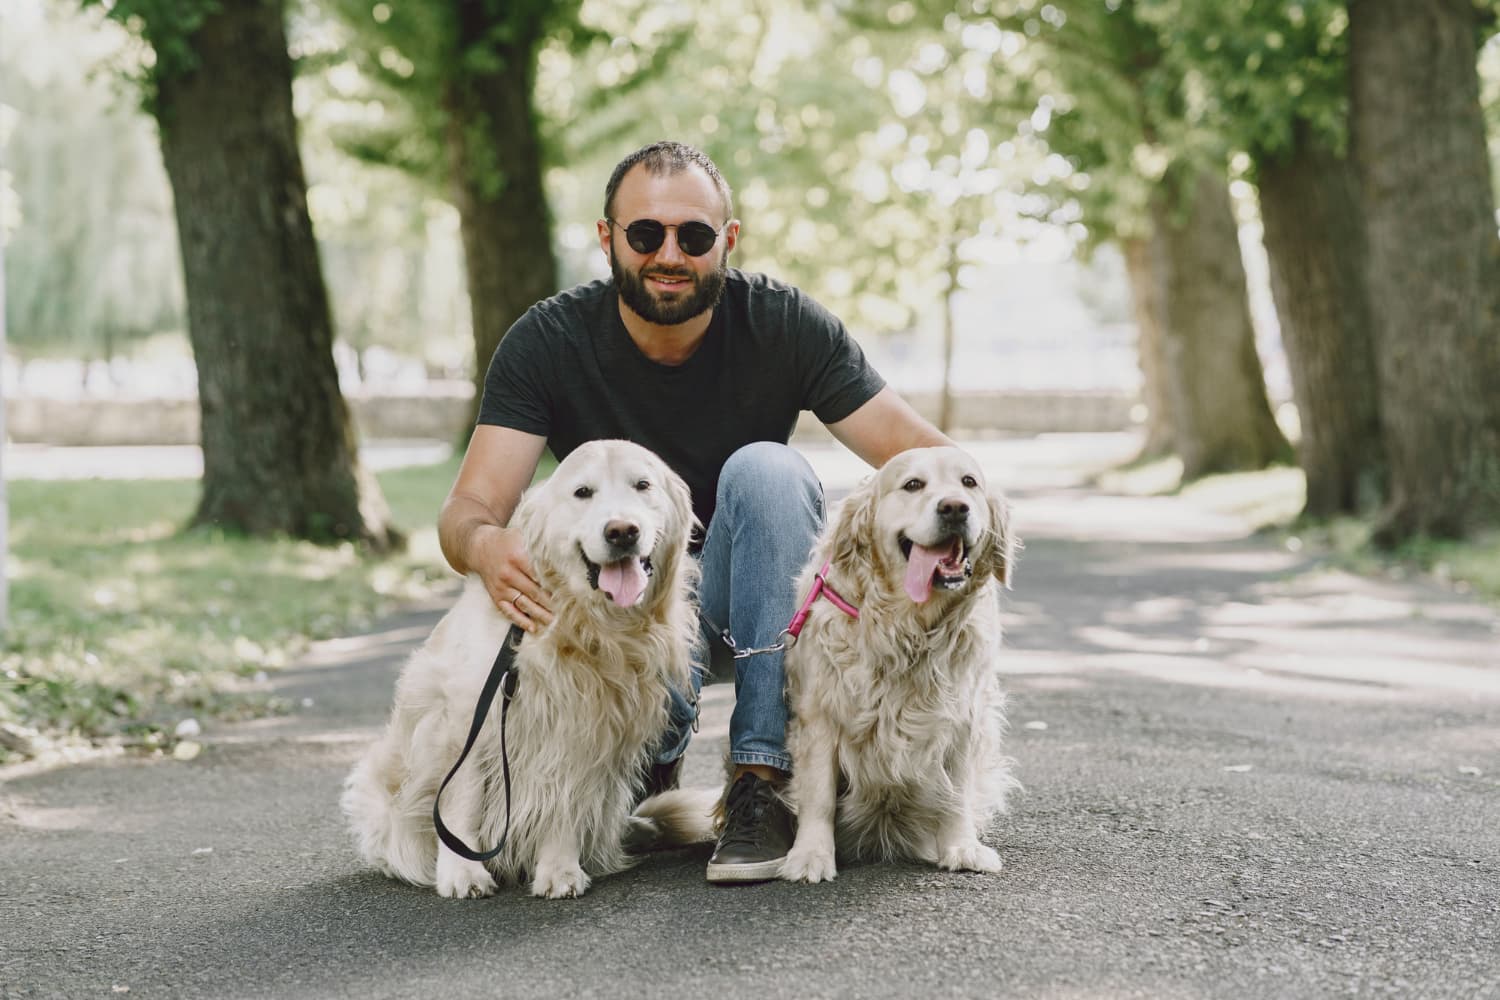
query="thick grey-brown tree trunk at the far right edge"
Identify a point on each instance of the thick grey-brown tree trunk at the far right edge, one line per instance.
(1418, 145)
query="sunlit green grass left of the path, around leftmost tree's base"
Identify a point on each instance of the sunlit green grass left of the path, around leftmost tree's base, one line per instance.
(122, 624)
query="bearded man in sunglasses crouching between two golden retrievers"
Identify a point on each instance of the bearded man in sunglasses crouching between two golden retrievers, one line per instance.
(710, 368)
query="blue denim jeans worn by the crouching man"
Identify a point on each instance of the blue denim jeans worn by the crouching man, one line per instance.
(769, 513)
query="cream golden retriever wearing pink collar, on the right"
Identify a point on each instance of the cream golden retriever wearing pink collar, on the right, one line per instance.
(898, 714)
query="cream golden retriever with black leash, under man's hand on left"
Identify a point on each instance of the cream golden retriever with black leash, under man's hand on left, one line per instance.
(608, 537)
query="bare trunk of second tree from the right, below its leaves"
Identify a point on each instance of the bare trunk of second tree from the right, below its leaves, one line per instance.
(1315, 239)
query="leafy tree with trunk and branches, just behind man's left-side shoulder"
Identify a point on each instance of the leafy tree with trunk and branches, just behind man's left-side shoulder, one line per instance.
(460, 79)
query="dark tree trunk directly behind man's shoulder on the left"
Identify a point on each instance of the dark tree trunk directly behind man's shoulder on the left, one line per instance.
(496, 158)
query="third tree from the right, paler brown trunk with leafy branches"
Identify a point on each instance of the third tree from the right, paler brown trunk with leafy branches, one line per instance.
(1120, 118)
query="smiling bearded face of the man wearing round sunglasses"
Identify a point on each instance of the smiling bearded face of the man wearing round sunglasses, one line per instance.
(668, 287)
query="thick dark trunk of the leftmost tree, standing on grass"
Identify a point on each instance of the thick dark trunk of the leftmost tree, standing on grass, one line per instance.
(278, 443)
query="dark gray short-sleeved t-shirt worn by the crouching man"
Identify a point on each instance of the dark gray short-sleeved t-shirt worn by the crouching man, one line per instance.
(571, 373)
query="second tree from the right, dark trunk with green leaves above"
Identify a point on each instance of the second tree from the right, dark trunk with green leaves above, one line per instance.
(1273, 80)
